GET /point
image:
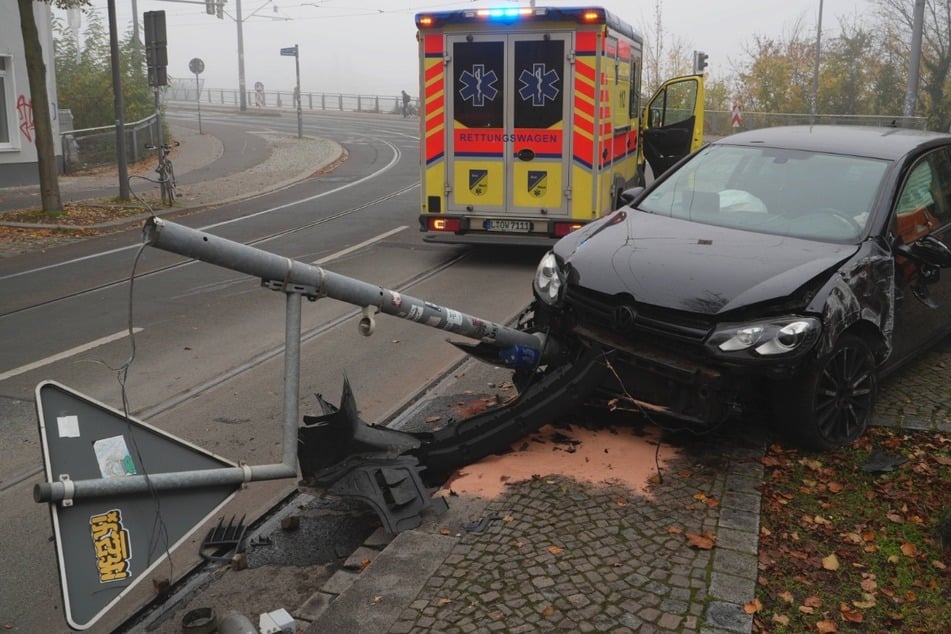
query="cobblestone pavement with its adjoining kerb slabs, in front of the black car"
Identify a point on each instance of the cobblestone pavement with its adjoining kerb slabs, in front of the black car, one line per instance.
(558, 555)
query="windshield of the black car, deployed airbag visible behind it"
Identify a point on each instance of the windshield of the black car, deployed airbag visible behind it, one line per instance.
(809, 195)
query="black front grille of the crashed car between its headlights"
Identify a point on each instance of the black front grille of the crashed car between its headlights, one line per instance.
(599, 310)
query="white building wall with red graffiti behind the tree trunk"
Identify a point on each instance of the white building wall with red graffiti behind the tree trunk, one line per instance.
(18, 156)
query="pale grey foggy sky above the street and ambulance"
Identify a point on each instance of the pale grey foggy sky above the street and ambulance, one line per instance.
(368, 47)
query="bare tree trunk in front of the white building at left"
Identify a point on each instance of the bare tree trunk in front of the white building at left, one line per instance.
(42, 121)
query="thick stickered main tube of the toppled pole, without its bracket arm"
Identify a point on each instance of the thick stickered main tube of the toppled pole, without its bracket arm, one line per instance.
(281, 273)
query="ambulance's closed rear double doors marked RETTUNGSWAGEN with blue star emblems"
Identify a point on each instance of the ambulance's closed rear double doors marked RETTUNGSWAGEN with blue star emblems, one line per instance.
(508, 153)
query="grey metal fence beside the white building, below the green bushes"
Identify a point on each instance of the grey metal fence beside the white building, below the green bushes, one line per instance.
(96, 147)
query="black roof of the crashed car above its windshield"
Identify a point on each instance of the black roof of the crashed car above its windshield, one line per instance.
(883, 143)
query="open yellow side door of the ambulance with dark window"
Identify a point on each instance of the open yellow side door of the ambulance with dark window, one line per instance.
(671, 124)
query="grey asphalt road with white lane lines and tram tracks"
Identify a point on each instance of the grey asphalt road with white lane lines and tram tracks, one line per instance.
(207, 363)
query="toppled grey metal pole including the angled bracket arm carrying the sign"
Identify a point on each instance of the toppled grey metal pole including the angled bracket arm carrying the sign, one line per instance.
(296, 279)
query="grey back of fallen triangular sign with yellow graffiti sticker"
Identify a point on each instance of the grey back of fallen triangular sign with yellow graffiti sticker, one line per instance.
(107, 545)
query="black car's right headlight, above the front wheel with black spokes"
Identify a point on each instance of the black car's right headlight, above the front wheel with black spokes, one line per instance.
(770, 338)
